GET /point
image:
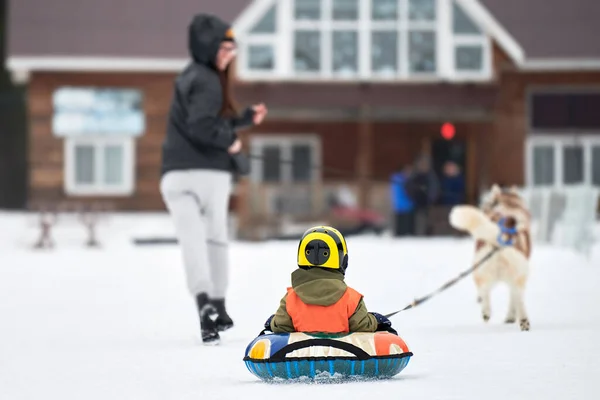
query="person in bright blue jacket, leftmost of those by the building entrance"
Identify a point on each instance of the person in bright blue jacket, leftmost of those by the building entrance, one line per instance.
(402, 203)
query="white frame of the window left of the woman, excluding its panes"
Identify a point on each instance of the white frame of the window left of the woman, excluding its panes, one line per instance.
(99, 188)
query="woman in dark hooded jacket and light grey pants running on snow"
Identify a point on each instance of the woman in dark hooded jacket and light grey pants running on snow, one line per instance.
(198, 160)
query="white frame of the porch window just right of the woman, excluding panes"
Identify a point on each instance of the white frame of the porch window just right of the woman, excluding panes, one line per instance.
(285, 142)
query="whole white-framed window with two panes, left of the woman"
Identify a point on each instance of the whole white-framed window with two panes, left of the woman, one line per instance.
(99, 166)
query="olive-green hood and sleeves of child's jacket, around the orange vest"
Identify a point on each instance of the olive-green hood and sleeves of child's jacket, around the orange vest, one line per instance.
(321, 287)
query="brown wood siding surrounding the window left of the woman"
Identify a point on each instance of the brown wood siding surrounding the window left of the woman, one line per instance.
(46, 158)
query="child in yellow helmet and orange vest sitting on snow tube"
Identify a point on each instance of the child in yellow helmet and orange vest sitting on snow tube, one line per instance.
(319, 301)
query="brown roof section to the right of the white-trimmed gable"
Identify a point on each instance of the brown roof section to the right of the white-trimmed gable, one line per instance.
(551, 29)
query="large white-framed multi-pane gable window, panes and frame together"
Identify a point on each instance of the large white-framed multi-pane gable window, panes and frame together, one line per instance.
(350, 39)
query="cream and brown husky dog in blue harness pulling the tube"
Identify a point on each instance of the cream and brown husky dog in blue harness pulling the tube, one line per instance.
(502, 217)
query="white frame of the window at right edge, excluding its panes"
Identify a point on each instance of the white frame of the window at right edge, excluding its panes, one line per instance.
(557, 142)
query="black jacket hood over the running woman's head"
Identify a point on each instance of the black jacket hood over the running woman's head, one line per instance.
(205, 34)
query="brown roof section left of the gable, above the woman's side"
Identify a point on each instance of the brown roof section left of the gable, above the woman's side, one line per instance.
(113, 28)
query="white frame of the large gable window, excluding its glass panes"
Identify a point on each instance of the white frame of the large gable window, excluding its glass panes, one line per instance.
(282, 41)
